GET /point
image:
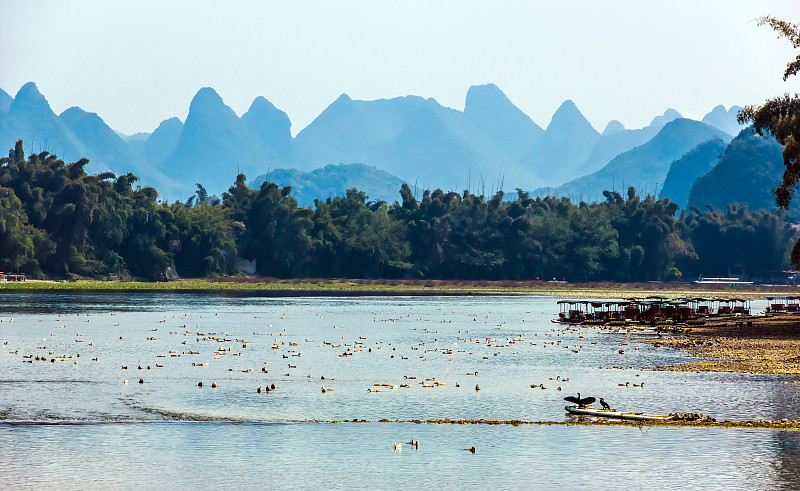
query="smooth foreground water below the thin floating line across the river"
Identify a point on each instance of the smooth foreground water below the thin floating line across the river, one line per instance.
(248, 455)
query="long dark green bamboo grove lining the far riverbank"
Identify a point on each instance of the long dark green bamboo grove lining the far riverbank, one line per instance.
(56, 220)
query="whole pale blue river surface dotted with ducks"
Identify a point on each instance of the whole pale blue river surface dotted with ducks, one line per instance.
(91, 424)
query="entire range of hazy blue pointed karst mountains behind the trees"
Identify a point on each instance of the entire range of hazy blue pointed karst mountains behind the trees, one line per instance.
(489, 145)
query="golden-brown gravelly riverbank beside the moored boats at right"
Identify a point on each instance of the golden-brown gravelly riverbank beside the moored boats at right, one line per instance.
(753, 344)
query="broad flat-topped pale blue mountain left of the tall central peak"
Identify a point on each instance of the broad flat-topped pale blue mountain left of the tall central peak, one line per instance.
(414, 138)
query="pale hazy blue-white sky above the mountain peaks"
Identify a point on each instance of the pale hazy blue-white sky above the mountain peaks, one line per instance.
(136, 63)
